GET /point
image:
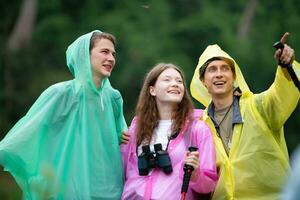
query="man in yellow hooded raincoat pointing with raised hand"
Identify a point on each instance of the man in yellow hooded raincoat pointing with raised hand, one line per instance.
(252, 157)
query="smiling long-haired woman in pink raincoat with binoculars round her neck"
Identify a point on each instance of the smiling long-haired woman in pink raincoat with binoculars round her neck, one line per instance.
(165, 116)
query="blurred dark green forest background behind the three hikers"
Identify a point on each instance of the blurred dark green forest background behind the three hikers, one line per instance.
(35, 35)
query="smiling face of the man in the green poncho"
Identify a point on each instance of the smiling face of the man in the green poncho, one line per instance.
(102, 57)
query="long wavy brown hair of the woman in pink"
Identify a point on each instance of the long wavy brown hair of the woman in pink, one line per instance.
(146, 110)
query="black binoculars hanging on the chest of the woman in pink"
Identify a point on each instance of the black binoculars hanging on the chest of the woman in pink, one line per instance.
(149, 160)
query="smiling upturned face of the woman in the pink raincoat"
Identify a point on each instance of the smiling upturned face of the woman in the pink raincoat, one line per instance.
(168, 88)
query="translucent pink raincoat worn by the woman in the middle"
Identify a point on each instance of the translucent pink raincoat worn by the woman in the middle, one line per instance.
(158, 185)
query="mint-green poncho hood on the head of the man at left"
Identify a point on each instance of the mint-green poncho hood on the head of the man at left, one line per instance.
(78, 61)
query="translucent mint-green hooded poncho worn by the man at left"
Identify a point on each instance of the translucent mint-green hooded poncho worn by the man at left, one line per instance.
(67, 145)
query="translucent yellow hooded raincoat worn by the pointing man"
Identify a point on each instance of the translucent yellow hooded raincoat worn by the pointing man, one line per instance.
(258, 163)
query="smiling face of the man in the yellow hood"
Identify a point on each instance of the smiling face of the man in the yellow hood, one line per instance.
(218, 79)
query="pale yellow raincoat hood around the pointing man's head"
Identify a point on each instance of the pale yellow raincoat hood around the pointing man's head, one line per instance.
(198, 90)
